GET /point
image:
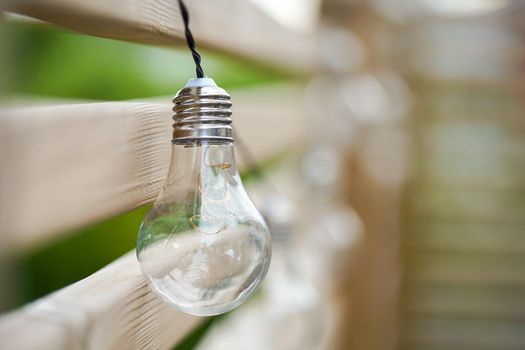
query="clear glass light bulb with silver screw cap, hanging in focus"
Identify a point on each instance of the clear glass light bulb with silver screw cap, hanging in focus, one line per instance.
(203, 246)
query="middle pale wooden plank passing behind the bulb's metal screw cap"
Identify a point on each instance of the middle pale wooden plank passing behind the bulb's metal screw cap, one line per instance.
(64, 166)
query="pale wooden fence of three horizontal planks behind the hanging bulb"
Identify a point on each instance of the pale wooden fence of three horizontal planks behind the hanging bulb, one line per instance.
(83, 162)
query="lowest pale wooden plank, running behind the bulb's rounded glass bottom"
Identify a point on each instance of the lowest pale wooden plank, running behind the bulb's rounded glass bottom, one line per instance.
(112, 309)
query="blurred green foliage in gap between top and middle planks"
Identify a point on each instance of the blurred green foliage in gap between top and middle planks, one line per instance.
(49, 62)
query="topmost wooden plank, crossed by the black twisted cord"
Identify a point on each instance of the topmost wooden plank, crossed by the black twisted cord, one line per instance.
(235, 26)
